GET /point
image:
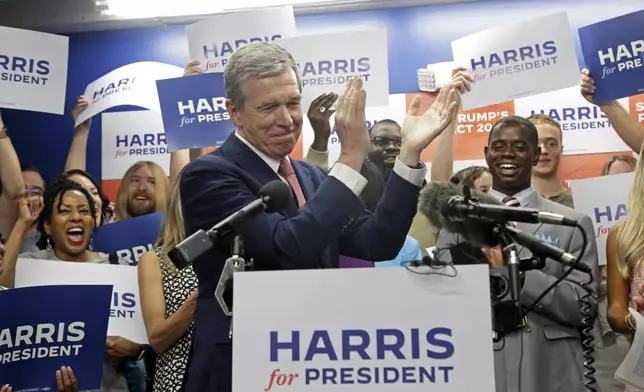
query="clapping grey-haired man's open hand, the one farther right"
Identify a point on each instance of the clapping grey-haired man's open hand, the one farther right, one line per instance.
(418, 130)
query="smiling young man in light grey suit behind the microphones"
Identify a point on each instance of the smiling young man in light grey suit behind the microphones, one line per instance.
(546, 353)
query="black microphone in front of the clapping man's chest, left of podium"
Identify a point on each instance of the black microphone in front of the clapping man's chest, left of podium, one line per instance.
(272, 197)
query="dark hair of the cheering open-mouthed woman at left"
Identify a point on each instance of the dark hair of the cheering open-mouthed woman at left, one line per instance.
(57, 188)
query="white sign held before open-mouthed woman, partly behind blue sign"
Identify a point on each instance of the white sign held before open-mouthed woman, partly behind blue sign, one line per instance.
(126, 319)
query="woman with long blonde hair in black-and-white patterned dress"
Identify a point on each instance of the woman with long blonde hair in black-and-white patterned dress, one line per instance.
(168, 299)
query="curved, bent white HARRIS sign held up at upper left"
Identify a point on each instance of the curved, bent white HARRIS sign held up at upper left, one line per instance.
(133, 84)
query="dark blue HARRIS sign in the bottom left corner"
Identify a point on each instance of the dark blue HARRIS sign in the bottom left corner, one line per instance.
(45, 328)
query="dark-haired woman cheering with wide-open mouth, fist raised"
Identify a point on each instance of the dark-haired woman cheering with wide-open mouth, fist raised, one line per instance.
(67, 219)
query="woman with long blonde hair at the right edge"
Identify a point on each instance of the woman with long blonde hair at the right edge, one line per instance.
(624, 255)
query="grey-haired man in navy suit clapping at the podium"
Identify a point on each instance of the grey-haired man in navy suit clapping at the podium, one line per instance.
(326, 219)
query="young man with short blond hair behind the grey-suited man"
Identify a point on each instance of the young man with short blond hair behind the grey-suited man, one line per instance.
(545, 175)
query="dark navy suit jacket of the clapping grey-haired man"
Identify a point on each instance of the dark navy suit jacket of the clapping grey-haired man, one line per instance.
(332, 221)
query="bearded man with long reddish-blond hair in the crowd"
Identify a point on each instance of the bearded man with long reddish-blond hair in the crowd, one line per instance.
(142, 191)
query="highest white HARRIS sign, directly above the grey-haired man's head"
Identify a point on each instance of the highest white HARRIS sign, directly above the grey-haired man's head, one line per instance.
(213, 40)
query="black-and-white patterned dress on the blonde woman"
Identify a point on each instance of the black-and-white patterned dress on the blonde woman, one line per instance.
(171, 365)
